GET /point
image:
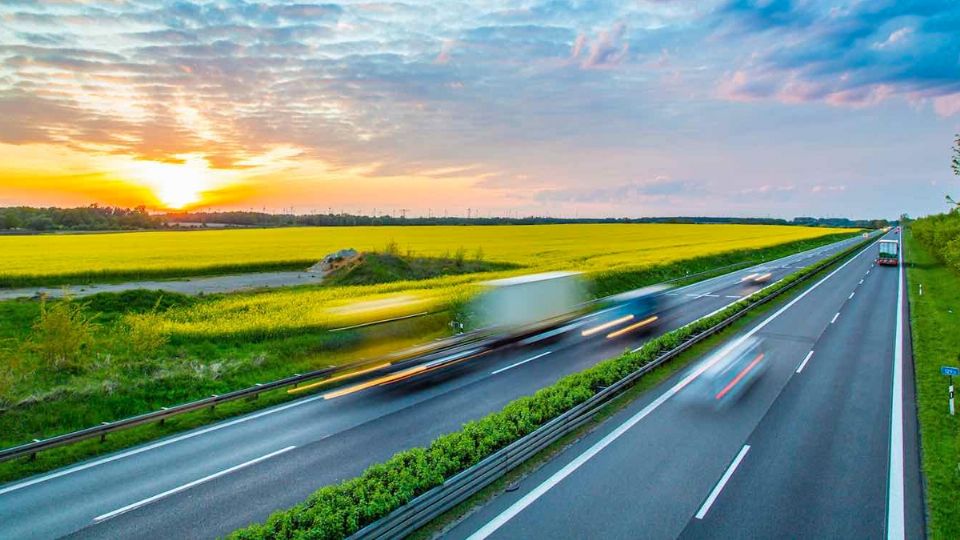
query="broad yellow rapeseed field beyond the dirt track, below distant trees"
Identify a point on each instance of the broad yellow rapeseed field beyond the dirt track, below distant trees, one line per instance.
(578, 247)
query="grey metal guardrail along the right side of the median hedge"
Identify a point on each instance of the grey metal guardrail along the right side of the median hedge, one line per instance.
(423, 509)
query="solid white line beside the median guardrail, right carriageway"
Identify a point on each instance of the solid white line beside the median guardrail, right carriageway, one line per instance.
(567, 470)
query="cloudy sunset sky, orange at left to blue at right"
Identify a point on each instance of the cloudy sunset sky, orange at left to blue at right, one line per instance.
(489, 107)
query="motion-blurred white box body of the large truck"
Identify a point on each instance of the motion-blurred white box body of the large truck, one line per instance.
(528, 303)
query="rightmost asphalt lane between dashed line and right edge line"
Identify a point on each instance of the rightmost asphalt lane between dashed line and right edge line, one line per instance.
(818, 468)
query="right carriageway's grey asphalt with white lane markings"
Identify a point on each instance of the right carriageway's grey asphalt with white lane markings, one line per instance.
(823, 445)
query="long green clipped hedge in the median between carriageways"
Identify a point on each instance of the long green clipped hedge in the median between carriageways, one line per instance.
(340, 510)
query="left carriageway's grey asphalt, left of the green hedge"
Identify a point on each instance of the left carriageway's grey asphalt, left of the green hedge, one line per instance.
(209, 481)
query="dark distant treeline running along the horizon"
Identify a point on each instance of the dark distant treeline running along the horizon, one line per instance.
(106, 218)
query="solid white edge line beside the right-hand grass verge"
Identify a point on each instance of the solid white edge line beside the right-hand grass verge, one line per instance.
(895, 502)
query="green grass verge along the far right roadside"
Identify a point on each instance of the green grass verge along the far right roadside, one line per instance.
(935, 327)
